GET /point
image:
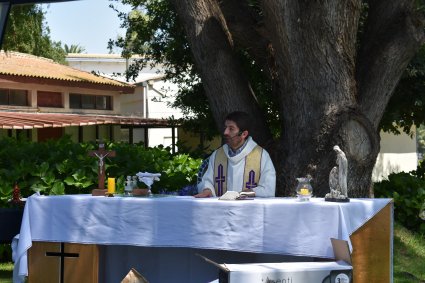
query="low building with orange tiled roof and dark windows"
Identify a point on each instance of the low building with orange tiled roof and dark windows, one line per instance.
(42, 99)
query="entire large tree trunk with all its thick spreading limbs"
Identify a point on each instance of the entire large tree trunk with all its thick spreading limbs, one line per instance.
(331, 86)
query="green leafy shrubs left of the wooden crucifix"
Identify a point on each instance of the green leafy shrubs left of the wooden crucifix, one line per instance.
(43, 167)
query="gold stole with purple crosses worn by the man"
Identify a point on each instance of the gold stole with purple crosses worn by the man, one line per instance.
(251, 171)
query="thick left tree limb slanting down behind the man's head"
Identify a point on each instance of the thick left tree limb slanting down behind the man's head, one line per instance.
(225, 85)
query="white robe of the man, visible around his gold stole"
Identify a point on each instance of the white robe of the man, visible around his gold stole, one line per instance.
(235, 172)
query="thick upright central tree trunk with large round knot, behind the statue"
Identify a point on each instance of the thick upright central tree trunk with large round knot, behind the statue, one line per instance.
(317, 53)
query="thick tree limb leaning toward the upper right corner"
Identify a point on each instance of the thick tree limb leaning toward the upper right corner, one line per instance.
(393, 34)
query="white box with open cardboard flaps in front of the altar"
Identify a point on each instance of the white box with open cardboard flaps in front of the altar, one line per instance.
(338, 271)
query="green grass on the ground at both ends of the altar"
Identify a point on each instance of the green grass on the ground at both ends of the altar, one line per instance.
(409, 258)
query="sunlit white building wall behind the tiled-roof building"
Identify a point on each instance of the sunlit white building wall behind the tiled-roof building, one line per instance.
(151, 96)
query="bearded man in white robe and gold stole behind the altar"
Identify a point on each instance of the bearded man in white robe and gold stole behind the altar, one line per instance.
(240, 164)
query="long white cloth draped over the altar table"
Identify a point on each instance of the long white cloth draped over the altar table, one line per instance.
(272, 226)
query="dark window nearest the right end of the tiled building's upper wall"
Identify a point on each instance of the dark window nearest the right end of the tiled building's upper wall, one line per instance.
(86, 101)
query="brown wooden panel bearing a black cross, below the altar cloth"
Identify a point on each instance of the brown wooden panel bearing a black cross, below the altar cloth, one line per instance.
(63, 263)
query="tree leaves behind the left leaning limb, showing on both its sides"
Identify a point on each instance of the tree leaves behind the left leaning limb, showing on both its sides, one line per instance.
(154, 31)
